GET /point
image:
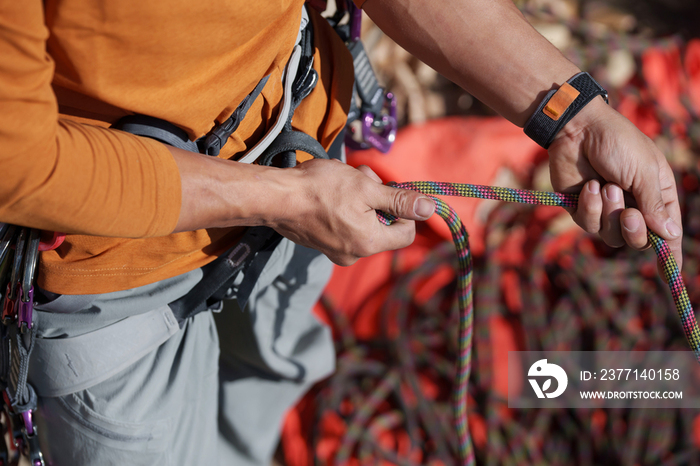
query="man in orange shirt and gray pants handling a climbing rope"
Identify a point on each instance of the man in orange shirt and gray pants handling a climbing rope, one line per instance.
(71, 69)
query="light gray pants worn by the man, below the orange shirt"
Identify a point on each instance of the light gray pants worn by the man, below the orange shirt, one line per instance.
(215, 392)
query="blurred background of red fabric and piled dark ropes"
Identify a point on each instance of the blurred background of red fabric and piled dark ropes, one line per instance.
(540, 282)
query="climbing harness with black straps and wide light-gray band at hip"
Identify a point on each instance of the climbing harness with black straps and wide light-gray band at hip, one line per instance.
(66, 365)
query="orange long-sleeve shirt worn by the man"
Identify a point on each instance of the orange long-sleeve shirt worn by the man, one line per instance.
(71, 68)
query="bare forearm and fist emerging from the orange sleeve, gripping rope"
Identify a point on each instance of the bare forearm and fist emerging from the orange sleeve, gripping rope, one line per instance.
(321, 204)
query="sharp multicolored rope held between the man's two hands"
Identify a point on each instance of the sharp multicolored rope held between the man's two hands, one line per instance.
(464, 281)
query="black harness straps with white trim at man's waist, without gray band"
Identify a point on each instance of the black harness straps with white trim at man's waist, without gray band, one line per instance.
(276, 148)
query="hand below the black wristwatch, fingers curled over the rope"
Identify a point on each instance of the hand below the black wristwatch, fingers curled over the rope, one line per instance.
(604, 156)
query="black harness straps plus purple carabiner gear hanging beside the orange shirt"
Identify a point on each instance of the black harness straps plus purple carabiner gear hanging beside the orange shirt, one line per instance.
(276, 148)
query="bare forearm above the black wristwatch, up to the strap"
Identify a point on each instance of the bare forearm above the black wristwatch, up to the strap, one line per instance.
(485, 46)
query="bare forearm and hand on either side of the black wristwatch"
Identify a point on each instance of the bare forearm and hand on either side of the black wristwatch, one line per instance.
(511, 71)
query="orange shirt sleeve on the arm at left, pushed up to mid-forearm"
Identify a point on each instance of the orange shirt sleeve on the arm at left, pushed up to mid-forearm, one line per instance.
(65, 176)
